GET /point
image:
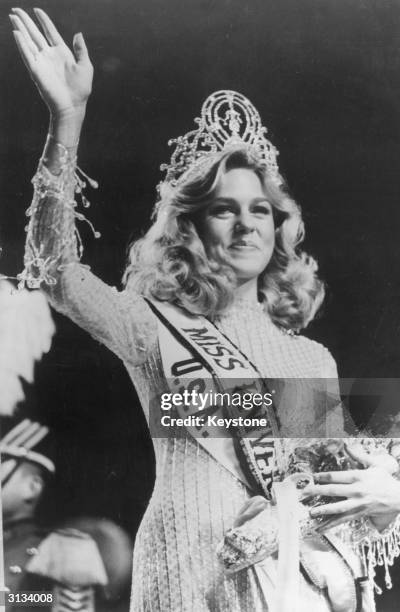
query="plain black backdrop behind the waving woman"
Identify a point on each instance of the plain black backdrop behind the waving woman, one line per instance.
(325, 76)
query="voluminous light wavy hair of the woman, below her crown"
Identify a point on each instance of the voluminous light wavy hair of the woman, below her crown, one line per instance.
(170, 262)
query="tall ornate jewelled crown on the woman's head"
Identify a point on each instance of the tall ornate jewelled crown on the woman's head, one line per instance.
(228, 120)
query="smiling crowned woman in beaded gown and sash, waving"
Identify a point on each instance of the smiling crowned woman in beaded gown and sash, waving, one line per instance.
(215, 292)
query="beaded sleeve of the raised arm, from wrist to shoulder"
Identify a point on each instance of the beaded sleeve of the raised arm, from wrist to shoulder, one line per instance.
(120, 320)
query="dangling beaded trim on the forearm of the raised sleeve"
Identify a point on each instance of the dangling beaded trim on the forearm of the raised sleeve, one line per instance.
(65, 188)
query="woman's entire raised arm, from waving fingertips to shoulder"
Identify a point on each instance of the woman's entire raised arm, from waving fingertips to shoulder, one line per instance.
(122, 321)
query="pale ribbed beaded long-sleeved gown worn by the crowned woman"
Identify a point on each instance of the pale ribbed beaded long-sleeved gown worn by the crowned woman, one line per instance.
(195, 499)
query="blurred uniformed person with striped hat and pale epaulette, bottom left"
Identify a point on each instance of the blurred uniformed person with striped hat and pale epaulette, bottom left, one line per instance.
(38, 559)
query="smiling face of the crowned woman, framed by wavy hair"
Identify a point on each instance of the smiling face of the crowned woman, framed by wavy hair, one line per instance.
(238, 226)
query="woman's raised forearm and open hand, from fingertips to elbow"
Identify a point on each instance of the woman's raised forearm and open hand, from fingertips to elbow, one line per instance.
(64, 81)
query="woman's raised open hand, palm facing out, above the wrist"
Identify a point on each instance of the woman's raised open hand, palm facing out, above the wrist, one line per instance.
(63, 78)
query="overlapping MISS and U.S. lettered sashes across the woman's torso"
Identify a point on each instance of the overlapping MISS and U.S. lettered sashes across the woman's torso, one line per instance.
(196, 356)
